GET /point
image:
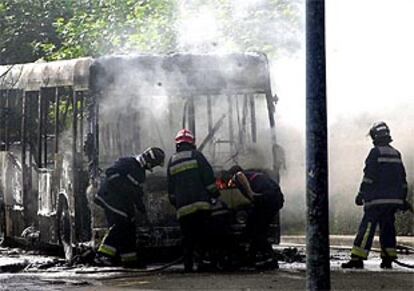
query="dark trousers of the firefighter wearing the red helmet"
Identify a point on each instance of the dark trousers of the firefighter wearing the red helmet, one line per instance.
(195, 238)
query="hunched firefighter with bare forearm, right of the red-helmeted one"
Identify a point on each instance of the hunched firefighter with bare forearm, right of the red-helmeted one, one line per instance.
(267, 199)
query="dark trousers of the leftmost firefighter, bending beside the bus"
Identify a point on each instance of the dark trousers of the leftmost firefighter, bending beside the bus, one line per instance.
(119, 242)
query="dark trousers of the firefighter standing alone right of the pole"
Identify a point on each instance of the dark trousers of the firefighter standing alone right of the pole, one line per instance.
(384, 215)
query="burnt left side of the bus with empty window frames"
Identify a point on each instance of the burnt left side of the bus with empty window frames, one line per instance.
(44, 117)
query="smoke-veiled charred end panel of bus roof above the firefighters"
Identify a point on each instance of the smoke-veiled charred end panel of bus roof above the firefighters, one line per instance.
(186, 73)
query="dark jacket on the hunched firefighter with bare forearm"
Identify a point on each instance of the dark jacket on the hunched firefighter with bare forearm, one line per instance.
(268, 191)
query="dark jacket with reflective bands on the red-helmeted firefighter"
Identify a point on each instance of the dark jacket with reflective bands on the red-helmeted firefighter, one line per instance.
(191, 182)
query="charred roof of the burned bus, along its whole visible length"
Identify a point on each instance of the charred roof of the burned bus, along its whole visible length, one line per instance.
(167, 74)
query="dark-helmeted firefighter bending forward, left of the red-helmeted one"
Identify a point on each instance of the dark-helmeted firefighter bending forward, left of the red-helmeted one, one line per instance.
(120, 195)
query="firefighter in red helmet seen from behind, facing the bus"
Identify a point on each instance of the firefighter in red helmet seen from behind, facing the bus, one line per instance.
(192, 190)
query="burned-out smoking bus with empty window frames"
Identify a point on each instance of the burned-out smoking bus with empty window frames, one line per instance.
(63, 122)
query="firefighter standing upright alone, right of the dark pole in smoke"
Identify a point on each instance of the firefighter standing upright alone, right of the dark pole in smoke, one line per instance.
(382, 192)
